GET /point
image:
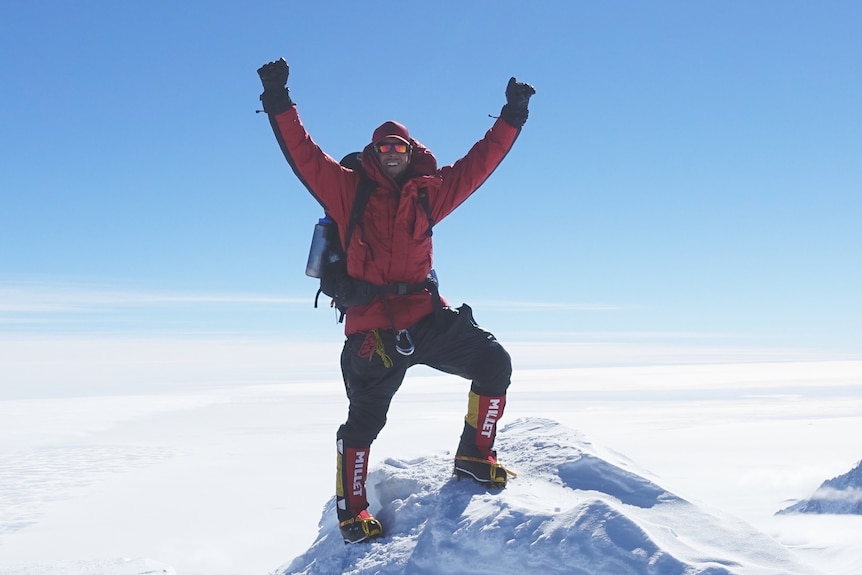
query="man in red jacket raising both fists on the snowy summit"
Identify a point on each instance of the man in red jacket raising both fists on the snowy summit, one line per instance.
(405, 322)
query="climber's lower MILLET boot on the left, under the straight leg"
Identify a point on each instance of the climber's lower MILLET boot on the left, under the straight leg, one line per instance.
(354, 520)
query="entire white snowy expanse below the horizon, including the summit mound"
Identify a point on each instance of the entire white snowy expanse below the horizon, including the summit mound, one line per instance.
(638, 469)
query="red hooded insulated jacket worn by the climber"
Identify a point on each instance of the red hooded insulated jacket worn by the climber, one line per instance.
(394, 245)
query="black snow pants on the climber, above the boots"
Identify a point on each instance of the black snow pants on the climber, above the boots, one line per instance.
(448, 340)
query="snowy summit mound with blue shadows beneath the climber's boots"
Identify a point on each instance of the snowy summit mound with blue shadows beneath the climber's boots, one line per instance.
(574, 509)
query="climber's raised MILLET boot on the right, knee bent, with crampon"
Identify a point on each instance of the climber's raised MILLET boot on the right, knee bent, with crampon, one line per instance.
(476, 458)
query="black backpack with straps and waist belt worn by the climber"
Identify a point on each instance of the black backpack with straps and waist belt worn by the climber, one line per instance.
(344, 290)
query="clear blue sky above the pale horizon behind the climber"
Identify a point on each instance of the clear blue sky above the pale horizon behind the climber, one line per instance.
(690, 171)
